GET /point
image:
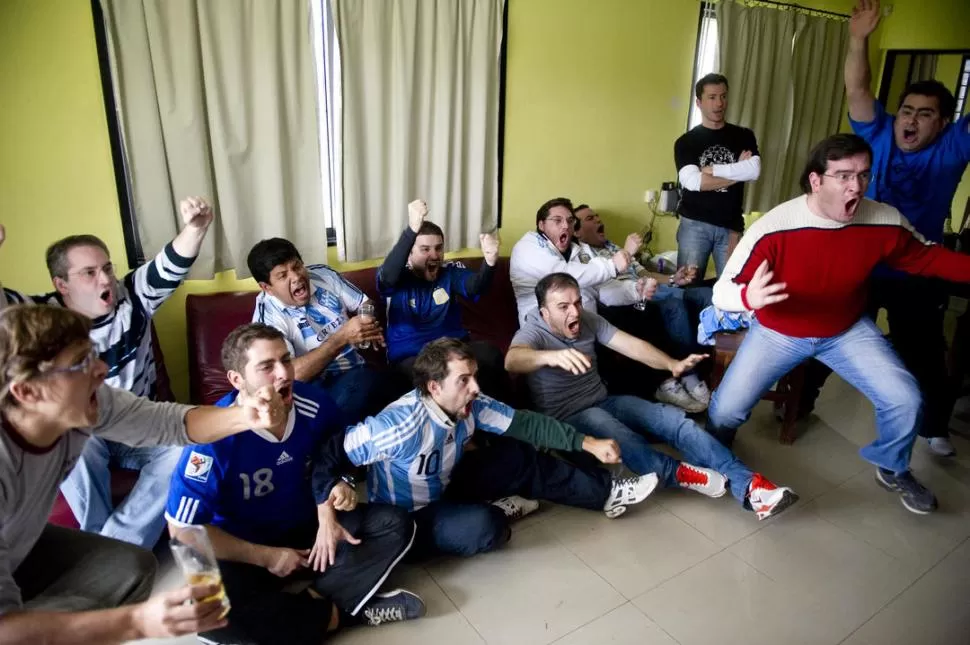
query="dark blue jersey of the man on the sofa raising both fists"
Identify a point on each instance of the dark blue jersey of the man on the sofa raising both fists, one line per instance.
(419, 311)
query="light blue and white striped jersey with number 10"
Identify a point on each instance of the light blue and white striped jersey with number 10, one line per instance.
(411, 447)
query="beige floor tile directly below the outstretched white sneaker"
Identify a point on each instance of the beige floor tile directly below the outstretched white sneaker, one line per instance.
(636, 551)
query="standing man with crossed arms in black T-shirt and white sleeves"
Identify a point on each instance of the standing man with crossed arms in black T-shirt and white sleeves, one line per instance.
(714, 160)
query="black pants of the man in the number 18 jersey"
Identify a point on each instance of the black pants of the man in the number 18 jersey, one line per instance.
(263, 614)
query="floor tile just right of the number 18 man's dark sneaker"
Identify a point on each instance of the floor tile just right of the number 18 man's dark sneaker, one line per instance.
(532, 591)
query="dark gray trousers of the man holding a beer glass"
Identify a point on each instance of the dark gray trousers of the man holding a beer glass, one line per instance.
(68, 570)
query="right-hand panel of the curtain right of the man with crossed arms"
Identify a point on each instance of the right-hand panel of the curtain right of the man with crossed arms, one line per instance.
(819, 89)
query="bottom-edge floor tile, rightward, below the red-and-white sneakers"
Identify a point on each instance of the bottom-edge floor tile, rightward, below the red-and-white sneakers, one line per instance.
(726, 601)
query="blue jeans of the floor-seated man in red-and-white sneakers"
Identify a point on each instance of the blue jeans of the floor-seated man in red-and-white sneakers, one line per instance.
(629, 420)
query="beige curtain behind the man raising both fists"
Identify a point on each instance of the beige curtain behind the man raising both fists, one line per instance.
(420, 82)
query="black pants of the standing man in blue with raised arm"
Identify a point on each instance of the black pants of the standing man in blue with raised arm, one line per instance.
(915, 307)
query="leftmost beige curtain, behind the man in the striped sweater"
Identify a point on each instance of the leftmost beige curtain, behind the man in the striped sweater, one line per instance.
(217, 98)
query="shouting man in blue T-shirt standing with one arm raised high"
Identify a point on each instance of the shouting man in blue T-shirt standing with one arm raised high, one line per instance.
(919, 157)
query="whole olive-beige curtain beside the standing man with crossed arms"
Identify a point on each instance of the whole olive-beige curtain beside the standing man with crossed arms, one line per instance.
(785, 73)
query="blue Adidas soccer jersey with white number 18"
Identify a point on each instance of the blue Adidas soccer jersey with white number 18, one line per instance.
(252, 485)
